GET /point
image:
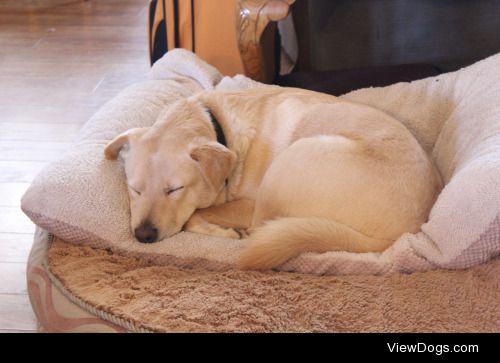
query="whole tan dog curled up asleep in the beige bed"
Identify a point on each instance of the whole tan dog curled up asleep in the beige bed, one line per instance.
(302, 171)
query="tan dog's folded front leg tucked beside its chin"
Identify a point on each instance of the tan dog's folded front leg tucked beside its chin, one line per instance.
(225, 220)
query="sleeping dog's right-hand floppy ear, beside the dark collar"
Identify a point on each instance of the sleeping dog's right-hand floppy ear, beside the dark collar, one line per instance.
(216, 163)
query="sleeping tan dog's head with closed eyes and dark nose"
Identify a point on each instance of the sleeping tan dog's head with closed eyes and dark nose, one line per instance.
(172, 169)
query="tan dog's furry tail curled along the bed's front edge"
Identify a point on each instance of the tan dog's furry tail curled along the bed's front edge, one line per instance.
(279, 240)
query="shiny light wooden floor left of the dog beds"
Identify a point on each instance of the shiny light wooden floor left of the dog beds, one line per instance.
(59, 61)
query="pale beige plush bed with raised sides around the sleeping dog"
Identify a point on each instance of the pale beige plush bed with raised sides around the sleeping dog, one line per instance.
(82, 198)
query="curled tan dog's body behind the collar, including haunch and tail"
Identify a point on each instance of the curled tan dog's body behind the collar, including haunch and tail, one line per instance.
(326, 174)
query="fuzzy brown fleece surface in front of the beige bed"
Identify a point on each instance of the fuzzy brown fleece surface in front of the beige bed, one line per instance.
(169, 299)
